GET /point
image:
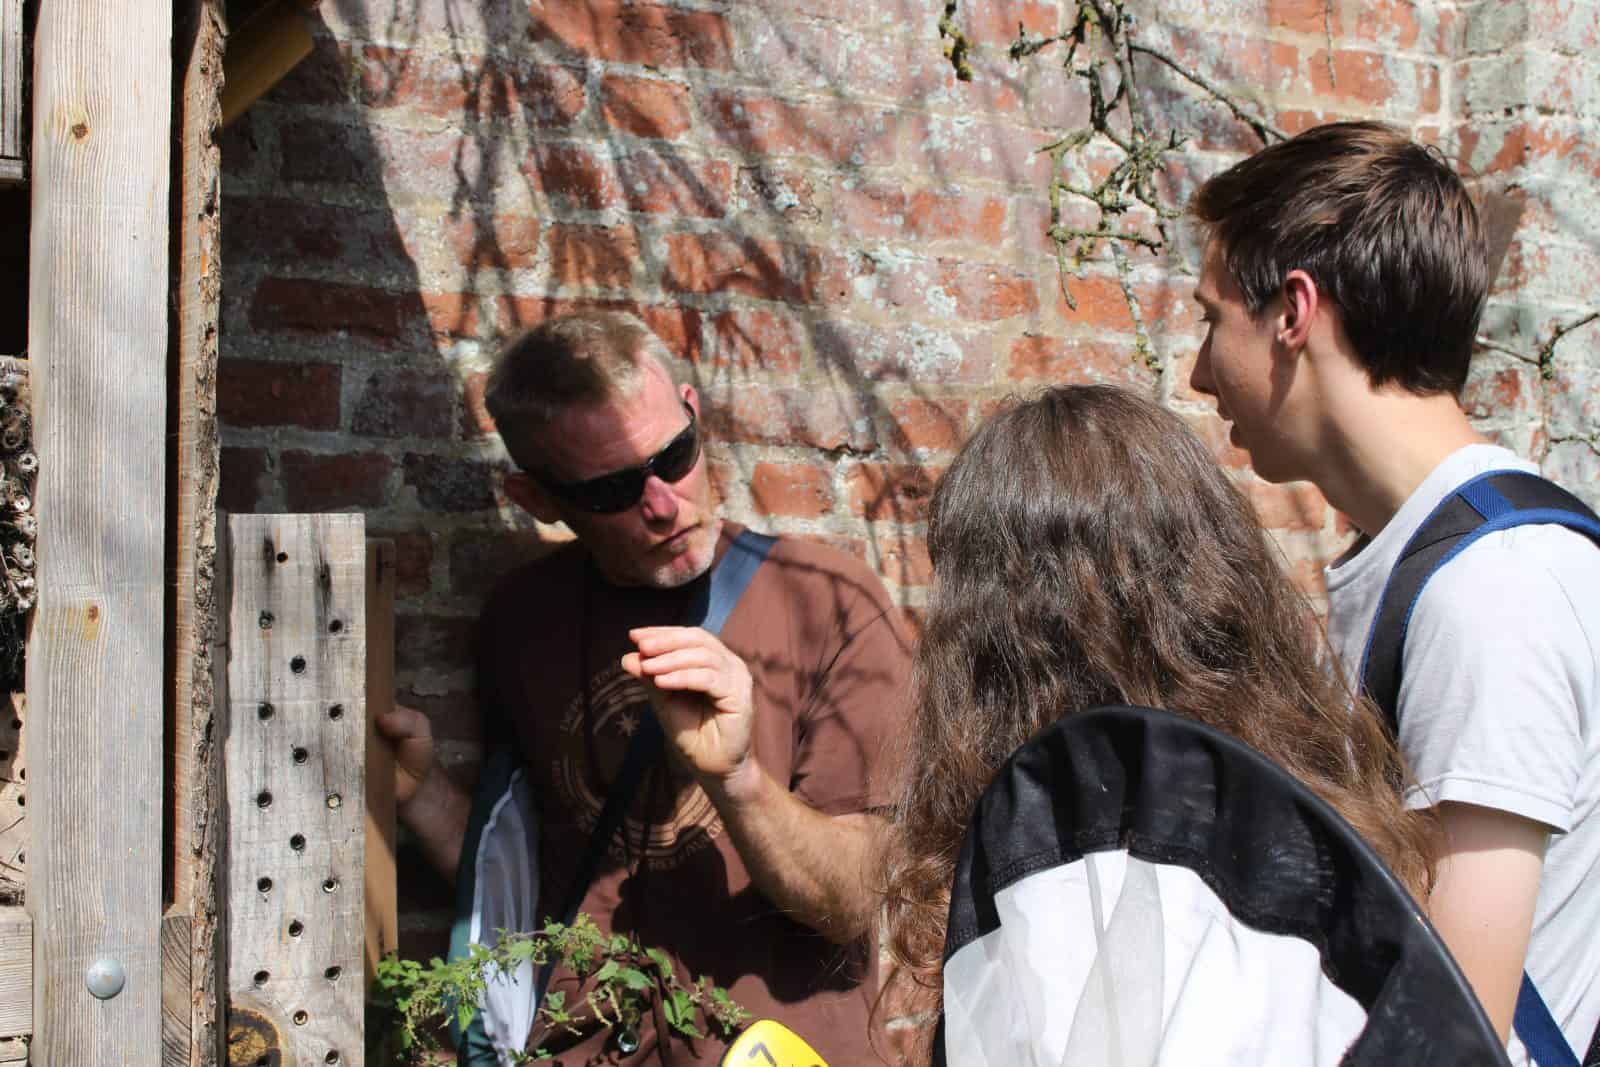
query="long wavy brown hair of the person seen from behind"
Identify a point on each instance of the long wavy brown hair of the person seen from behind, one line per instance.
(1089, 551)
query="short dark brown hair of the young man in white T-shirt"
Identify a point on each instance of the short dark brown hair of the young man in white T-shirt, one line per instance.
(1385, 228)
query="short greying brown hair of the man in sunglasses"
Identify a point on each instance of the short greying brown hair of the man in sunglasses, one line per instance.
(569, 361)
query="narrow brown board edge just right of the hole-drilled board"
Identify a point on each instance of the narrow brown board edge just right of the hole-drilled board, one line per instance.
(383, 908)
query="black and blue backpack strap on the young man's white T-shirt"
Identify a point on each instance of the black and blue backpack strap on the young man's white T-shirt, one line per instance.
(1498, 500)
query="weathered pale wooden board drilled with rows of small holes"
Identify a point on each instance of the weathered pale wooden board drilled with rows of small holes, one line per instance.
(295, 761)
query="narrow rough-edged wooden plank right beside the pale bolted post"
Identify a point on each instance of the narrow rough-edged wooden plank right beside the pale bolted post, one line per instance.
(196, 761)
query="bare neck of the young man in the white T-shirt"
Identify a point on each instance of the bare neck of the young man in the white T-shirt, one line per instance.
(1383, 446)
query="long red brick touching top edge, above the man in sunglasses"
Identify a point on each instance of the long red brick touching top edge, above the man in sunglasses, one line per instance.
(647, 34)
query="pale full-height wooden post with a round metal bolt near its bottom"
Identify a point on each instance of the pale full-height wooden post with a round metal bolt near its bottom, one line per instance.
(98, 313)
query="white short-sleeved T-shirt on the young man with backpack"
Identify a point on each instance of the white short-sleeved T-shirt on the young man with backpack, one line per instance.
(1500, 706)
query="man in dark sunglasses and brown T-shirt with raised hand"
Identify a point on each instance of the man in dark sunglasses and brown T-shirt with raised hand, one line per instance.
(746, 850)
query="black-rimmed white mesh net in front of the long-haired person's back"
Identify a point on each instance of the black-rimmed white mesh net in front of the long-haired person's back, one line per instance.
(1138, 890)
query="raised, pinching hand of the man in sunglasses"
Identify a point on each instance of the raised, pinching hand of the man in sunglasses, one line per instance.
(703, 697)
